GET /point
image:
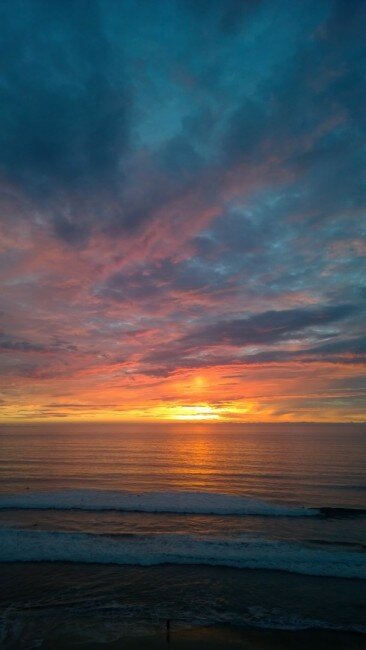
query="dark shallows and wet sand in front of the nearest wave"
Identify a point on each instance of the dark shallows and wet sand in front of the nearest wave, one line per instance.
(96, 605)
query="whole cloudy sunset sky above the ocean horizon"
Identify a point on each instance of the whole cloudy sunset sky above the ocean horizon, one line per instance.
(182, 210)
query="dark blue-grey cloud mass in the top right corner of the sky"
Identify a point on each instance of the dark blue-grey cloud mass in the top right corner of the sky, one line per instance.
(309, 118)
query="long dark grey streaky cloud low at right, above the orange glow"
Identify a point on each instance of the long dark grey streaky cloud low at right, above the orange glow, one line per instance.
(203, 347)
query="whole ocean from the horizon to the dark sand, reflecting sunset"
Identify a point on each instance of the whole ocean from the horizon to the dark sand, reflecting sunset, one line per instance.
(111, 529)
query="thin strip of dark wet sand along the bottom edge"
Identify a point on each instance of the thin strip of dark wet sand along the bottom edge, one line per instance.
(221, 637)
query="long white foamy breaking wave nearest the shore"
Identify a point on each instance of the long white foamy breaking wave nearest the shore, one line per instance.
(241, 552)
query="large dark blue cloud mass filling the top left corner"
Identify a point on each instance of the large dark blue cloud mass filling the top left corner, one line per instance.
(65, 123)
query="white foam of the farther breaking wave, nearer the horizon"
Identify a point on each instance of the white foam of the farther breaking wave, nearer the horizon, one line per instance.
(178, 502)
